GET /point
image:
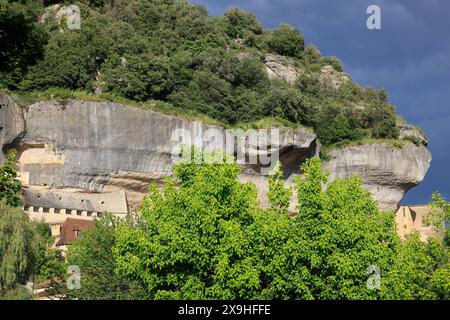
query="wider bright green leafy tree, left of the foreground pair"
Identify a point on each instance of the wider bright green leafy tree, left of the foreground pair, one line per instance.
(203, 240)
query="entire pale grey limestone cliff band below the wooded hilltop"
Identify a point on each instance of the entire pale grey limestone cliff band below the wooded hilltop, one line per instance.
(104, 146)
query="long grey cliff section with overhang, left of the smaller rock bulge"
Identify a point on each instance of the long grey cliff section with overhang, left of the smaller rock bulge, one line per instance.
(104, 146)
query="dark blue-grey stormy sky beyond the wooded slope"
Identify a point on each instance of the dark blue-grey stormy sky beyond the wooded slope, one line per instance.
(409, 56)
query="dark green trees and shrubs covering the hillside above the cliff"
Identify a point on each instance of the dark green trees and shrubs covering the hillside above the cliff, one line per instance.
(174, 54)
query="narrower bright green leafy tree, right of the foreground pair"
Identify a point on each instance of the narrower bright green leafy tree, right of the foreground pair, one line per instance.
(339, 235)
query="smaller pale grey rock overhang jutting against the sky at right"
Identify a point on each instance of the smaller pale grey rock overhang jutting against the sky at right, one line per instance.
(387, 172)
